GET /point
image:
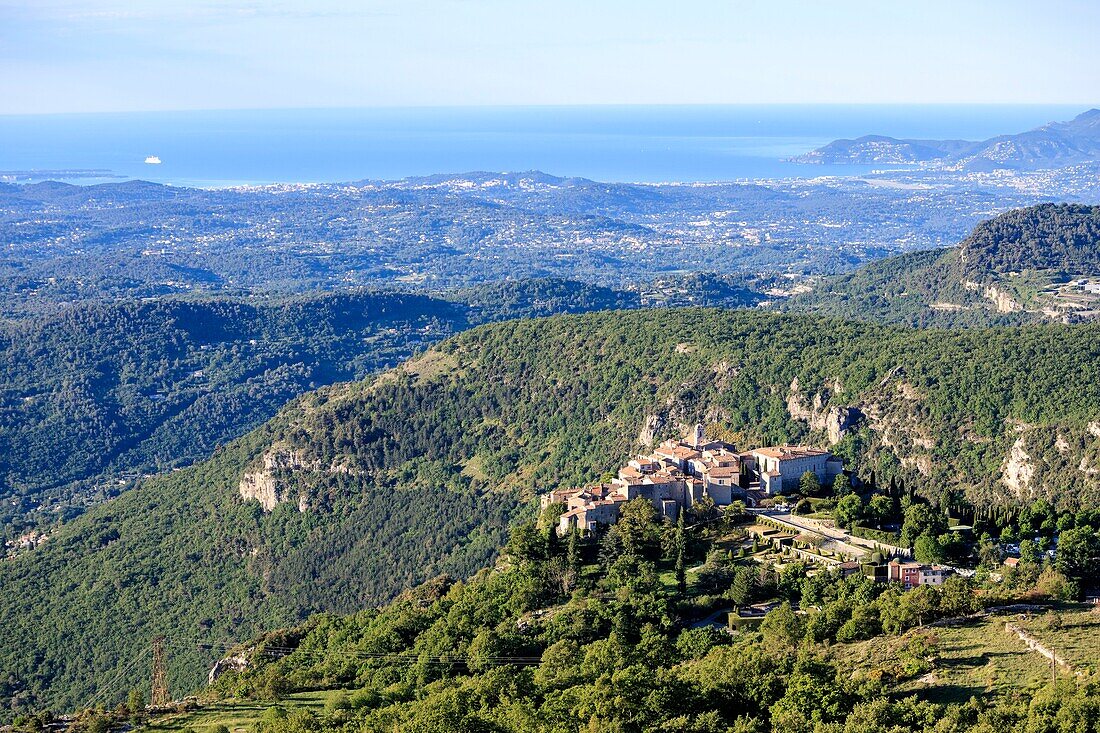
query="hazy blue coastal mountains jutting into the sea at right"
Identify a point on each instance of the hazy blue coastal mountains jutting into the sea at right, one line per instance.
(1052, 146)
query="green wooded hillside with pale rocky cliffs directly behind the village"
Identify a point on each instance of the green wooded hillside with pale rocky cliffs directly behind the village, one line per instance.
(388, 483)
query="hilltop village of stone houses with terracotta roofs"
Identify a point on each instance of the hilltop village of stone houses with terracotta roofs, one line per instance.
(680, 474)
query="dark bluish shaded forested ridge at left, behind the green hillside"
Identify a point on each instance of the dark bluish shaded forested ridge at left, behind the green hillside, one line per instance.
(100, 393)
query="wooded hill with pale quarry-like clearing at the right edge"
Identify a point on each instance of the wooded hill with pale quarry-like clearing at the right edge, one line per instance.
(1032, 265)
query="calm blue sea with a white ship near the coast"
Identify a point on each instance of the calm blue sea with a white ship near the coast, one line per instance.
(607, 144)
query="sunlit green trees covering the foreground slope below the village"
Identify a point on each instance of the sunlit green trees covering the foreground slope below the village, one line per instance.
(625, 631)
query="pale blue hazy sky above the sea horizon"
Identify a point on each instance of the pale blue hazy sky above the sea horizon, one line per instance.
(117, 56)
